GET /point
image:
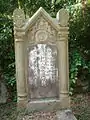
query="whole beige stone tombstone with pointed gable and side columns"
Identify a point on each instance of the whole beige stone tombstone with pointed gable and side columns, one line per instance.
(41, 53)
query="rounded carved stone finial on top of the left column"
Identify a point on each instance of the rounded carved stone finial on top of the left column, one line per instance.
(18, 17)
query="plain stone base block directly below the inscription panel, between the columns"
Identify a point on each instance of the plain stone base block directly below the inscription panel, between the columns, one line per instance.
(43, 105)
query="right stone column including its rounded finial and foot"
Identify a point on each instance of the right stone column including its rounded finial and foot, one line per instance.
(62, 44)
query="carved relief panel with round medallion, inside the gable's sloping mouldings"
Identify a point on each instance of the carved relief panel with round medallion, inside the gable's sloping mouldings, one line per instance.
(42, 31)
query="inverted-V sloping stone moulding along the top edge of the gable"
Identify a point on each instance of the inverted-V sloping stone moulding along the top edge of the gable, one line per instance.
(42, 16)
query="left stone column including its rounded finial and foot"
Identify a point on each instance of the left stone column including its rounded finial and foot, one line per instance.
(19, 36)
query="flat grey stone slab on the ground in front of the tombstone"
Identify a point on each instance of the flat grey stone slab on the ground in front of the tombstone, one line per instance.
(65, 115)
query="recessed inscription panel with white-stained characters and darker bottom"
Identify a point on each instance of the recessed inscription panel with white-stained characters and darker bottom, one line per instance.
(43, 71)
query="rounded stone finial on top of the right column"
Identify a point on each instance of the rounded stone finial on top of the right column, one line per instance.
(63, 17)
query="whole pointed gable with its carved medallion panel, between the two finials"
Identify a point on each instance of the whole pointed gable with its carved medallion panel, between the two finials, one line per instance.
(42, 27)
